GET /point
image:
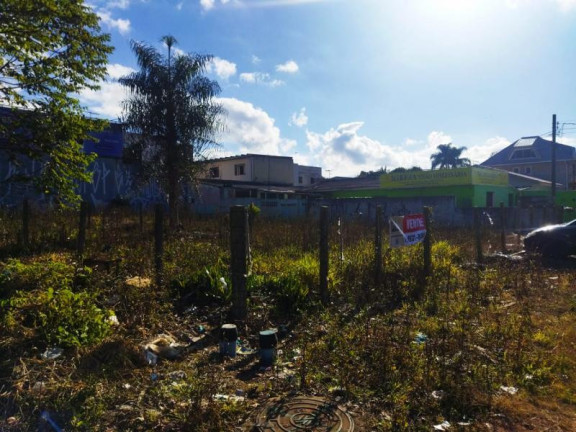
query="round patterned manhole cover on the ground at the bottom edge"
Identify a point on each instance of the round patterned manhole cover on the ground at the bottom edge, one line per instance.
(303, 414)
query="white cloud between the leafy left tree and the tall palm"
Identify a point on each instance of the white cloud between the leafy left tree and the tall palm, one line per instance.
(107, 102)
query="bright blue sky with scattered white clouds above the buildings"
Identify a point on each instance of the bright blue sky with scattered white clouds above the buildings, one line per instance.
(359, 85)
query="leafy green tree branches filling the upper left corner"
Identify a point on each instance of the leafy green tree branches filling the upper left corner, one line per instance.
(50, 50)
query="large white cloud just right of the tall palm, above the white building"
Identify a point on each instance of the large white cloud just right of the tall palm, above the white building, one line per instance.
(250, 129)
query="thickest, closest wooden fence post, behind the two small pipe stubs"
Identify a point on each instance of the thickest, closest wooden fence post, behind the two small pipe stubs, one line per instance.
(239, 247)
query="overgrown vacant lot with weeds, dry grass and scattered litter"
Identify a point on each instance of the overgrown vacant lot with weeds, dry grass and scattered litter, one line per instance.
(468, 347)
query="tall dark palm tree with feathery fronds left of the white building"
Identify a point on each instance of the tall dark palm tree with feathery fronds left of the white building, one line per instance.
(171, 115)
